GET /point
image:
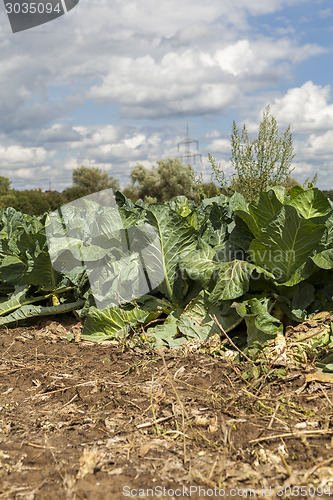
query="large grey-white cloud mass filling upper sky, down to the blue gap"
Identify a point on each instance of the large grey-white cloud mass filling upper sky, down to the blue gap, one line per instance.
(152, 59)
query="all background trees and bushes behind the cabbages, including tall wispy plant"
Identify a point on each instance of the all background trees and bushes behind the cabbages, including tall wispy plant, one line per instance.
(258, 163)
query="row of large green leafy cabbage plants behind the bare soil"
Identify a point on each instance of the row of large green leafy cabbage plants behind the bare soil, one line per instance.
(224, 266)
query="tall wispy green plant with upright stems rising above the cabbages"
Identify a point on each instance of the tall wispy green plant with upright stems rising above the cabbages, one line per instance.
(259, 163)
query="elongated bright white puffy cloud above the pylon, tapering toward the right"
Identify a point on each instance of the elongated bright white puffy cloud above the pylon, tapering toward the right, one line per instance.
(193, 81)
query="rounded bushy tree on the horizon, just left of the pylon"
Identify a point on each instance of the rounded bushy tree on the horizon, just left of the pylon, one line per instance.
(162, 183)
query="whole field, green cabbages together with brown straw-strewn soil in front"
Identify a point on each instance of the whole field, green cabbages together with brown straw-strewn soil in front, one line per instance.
(168, 349)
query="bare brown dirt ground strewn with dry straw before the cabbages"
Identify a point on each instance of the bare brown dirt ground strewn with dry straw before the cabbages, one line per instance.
(91, 421)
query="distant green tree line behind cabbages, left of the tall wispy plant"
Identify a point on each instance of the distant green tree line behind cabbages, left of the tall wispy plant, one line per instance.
(168, 179)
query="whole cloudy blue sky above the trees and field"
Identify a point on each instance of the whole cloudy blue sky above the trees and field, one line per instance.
(113, 83)
